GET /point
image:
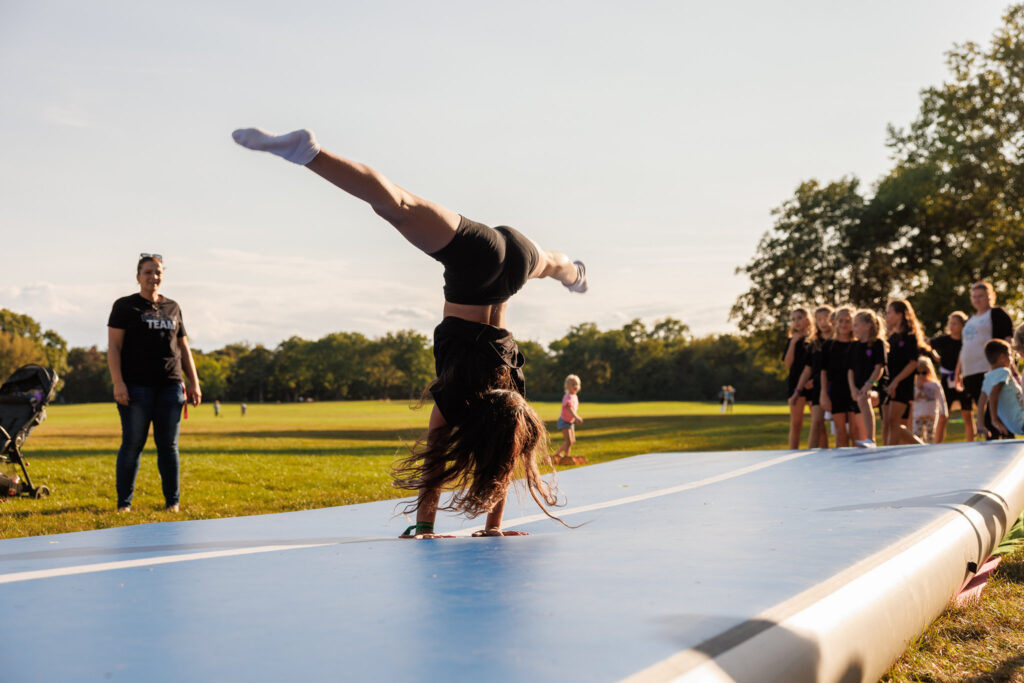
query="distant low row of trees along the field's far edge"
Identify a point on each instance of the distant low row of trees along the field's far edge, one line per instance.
(662, 362)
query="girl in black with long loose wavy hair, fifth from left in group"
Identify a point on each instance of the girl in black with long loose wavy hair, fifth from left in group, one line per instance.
(907, 344)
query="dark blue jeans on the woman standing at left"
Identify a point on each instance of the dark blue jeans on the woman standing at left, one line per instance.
(162, 407)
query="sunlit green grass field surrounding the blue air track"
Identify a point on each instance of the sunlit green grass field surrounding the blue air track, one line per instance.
(301, 456)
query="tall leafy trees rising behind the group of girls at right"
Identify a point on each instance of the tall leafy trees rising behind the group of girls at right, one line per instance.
(950, 214)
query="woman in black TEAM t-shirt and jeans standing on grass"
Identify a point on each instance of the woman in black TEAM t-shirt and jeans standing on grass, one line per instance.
(150, 362)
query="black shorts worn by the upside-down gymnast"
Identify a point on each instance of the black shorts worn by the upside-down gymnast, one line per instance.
(486, 266)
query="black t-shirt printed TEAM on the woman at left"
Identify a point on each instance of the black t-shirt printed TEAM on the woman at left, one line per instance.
(152, 353)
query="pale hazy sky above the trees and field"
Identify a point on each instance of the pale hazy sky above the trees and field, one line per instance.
(650, 140)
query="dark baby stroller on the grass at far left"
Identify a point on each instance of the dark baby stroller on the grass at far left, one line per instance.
(23, 406)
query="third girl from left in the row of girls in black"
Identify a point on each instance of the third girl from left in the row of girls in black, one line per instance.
(836, 398)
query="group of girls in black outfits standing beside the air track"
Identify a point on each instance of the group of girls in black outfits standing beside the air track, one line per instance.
(842, 365)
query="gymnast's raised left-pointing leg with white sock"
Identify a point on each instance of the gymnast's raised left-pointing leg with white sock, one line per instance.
(428, 226)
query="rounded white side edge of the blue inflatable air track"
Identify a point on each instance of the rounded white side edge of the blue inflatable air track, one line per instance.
(854, 626)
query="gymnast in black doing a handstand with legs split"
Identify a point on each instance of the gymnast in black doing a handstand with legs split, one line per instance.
(483, 435)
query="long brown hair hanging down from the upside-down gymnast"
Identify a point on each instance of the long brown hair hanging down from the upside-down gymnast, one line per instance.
(499, 441)
